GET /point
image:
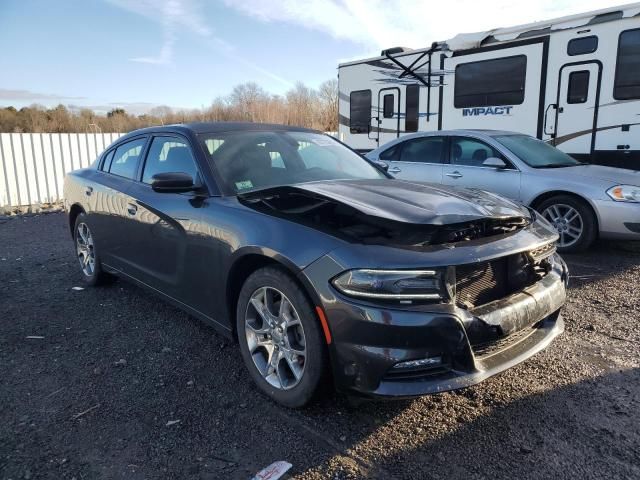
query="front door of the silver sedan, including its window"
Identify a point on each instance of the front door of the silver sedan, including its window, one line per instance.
(466, 169)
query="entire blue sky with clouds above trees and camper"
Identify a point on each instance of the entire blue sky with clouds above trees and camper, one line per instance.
(184, 53)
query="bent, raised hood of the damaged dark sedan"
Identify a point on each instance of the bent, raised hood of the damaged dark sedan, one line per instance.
(403, 201)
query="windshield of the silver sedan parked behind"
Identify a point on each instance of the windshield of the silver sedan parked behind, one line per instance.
(536, 153)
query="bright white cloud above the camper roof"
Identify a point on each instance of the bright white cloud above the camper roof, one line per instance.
(377, 24)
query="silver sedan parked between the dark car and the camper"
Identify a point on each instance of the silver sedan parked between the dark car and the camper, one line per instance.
(582, 201)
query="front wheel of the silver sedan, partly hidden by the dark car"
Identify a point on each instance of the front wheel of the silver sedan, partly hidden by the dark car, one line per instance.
(573, 218)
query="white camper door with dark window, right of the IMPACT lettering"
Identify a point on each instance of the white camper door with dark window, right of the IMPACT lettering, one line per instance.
(577, 107)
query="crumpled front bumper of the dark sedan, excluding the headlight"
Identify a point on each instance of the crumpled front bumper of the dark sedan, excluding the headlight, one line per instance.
(503, 306)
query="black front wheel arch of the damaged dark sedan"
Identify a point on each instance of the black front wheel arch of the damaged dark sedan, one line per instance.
(248, 263)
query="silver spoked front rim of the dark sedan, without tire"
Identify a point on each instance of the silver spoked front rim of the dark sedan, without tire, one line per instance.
(275, 338)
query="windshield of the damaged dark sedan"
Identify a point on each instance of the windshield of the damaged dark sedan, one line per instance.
(253, 160)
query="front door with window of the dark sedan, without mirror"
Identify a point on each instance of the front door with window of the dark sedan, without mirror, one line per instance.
(162, 245)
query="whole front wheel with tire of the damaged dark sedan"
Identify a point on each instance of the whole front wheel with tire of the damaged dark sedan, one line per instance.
(280, 338)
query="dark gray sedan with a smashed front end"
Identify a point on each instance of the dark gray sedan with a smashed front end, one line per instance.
(319, 264)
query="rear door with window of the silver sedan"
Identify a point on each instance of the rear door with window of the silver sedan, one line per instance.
(418, 159)
